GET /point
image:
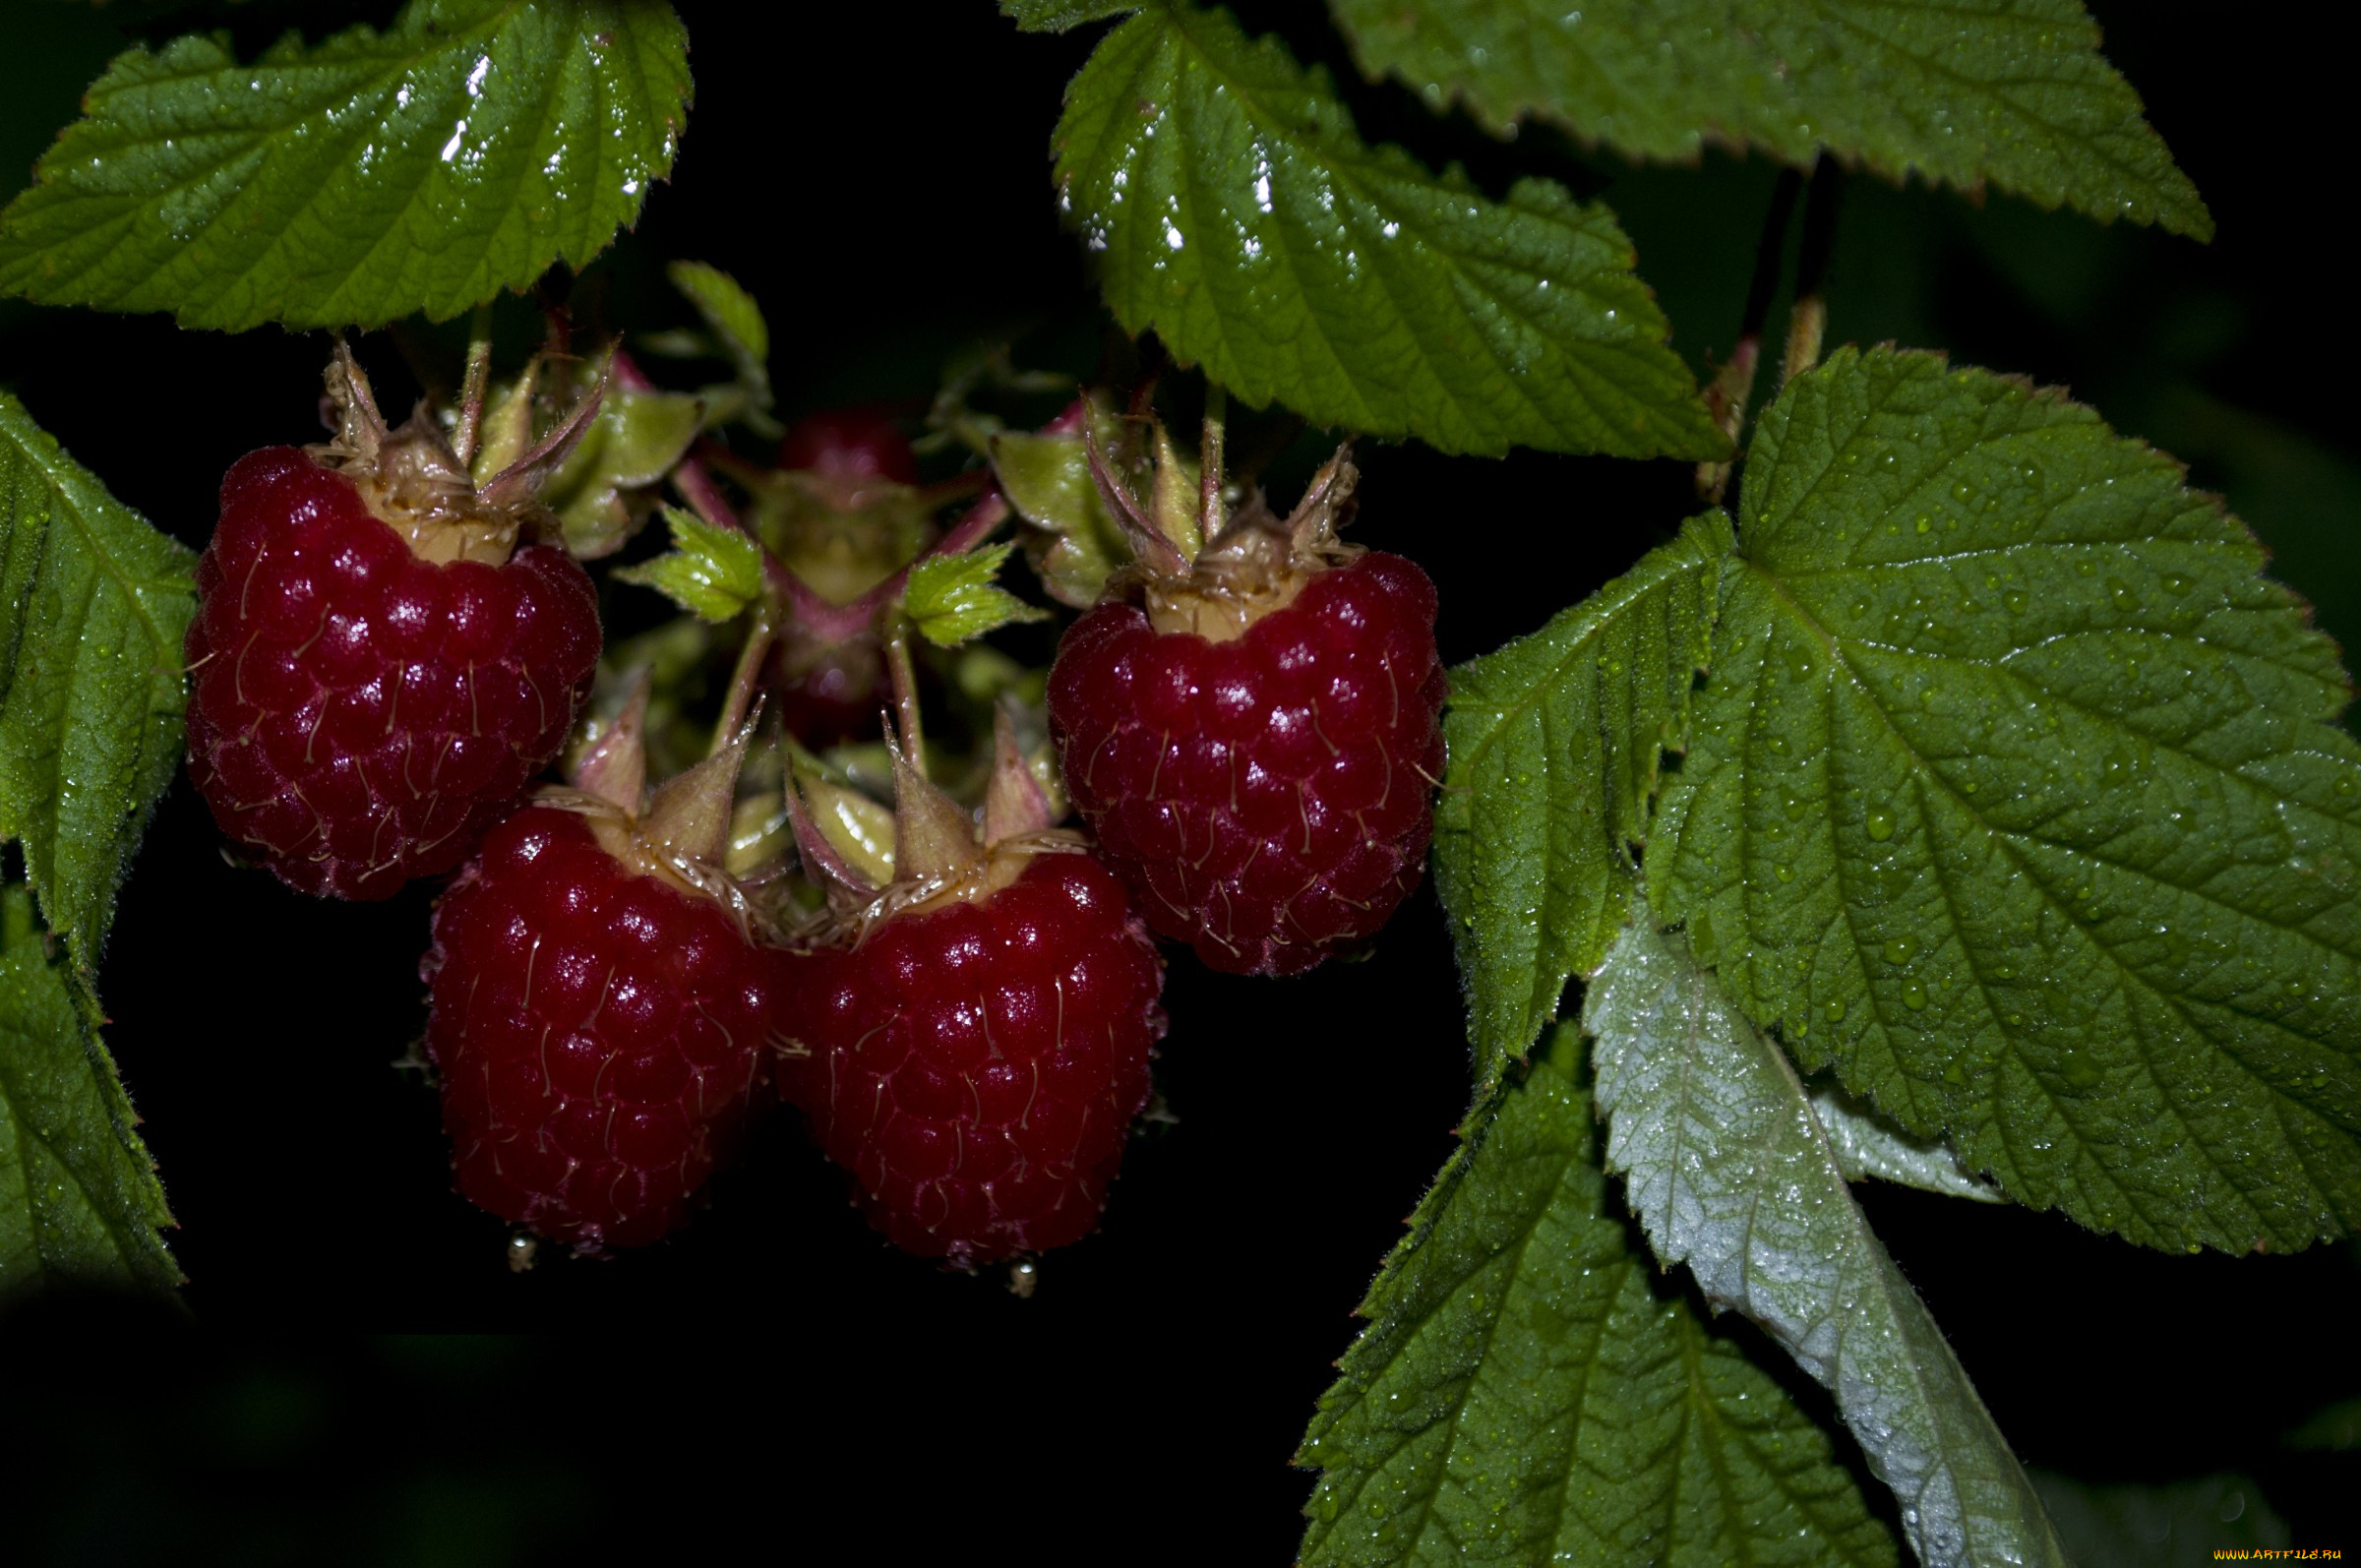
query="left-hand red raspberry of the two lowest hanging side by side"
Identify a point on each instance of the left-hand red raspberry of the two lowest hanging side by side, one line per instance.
(601, 1028)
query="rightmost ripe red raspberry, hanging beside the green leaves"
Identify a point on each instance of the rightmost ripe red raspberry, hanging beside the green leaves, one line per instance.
(1255, 745)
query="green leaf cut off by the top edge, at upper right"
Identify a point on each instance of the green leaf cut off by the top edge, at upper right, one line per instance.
(2006, 91)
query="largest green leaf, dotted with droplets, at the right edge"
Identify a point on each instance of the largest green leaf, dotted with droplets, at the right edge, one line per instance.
(2017, 797)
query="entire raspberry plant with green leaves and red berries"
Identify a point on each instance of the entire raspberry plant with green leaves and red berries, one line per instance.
(1951, 802)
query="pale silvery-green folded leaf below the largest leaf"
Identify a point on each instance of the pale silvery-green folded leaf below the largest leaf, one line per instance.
(1734, 1177)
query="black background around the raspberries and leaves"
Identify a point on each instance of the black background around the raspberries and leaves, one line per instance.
(884, 192)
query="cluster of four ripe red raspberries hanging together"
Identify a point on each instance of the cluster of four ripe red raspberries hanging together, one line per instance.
(606, 1021)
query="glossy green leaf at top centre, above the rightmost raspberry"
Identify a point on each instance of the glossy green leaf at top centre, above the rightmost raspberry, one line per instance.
(1236, 211)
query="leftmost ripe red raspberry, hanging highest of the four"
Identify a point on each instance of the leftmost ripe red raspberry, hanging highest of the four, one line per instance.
(365, 700)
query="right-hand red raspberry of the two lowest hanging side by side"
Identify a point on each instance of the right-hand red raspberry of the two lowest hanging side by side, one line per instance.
(976, 1057)
